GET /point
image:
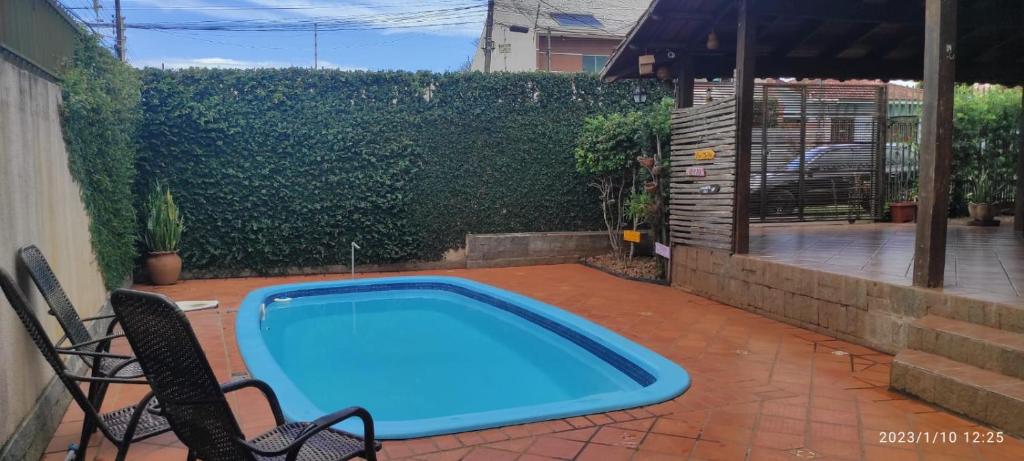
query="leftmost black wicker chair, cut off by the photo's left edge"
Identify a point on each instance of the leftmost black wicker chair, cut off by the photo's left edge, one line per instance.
(122, 427)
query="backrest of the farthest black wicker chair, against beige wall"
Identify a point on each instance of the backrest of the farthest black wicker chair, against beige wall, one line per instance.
(47, 282)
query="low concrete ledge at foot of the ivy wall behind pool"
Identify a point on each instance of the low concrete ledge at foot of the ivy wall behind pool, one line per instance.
(502, 250)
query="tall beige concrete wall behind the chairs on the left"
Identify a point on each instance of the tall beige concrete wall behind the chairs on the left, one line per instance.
(40, 204)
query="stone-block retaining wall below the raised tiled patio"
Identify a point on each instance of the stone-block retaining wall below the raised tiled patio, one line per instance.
(866, 312)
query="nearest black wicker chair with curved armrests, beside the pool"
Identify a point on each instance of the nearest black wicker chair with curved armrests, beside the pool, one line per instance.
(195, 404)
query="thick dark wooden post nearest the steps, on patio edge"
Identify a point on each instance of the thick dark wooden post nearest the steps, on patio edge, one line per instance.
(936, 143)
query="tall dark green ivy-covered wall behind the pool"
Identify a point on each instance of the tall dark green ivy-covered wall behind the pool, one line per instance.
(278, 169)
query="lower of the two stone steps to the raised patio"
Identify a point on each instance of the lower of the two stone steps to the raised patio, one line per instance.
(986, 396)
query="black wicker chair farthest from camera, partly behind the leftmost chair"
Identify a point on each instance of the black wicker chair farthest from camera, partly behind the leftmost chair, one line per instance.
(80, 341)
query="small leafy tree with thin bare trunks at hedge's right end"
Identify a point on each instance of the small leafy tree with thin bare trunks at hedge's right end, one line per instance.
(606, 152)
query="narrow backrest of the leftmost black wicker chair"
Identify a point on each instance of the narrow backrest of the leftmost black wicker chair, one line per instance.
(38, 336)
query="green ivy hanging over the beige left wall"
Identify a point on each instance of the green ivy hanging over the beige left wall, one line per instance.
(100, 117)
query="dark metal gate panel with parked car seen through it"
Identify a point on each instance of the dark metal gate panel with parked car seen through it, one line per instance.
(818, 152)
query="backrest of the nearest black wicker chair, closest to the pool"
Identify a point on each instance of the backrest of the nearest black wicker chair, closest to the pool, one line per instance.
(175, 364)
